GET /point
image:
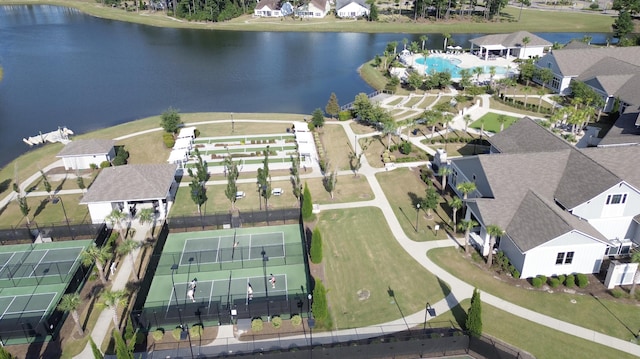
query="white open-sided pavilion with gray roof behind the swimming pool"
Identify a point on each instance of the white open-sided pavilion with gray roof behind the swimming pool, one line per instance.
(510, 45)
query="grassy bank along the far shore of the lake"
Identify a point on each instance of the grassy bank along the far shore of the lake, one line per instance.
(531, 20)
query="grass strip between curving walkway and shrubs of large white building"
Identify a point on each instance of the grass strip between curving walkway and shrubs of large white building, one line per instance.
(602, 315)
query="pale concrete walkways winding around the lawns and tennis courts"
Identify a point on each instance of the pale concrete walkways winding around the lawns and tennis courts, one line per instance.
(460, 290)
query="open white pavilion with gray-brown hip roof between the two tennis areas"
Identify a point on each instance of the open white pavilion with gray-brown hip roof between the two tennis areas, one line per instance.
(130, 188)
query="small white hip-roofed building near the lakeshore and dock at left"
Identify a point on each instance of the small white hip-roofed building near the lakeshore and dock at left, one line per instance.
(81, 154)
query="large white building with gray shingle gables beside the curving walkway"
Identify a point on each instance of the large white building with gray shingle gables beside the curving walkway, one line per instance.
(563, 210)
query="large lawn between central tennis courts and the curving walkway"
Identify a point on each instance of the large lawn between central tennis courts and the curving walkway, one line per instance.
(361, 253)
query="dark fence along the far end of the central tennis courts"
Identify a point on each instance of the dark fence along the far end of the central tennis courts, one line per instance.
(243, 218)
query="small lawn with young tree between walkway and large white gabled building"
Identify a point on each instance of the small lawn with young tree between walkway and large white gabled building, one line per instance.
(403, 199)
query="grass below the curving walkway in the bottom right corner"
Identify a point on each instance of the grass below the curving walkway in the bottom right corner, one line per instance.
(542, 342)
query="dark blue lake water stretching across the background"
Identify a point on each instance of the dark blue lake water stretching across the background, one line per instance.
(65, 68)
